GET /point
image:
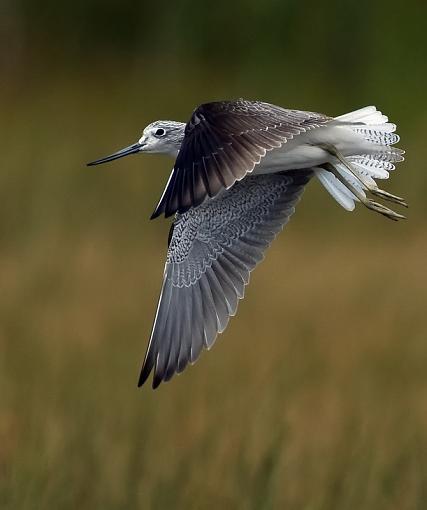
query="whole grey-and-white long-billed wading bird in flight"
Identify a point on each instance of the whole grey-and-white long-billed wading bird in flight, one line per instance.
(240, 169)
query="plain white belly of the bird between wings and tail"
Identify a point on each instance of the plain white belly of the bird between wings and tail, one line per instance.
(303, 150)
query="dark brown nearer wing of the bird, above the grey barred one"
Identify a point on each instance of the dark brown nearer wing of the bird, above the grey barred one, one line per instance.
(223, 142)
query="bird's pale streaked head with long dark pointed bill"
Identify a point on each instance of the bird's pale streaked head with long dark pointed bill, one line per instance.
(160, 137)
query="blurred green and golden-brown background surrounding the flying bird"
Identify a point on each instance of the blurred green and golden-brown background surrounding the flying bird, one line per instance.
(316, 395)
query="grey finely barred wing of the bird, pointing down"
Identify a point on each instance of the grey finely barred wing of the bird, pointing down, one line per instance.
(211, 252)
